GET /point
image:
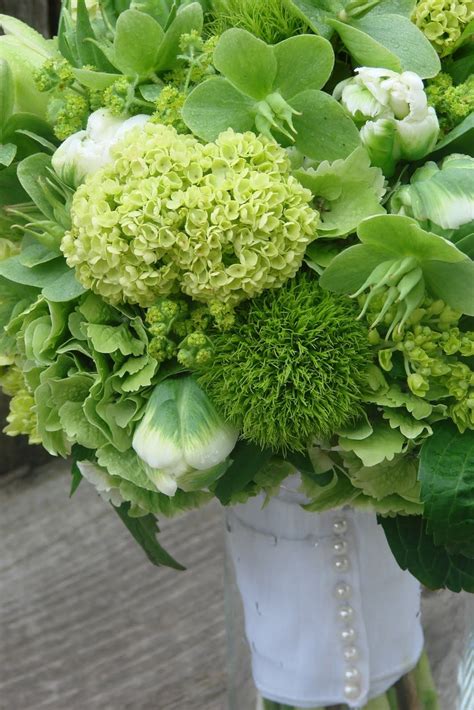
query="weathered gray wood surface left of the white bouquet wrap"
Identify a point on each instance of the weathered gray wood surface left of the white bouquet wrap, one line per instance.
(86, 623)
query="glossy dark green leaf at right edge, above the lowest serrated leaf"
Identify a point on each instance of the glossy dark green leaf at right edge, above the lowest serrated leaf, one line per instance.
(447, 485)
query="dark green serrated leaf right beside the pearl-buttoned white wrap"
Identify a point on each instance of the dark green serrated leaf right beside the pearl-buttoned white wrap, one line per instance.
(435, 567)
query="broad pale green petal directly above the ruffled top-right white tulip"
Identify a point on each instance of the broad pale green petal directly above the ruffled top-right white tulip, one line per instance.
(402, 39)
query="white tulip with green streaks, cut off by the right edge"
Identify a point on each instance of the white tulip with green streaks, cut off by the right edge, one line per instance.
(440, 198)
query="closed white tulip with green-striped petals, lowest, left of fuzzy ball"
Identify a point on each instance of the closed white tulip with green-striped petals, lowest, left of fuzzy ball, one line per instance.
(182, 438)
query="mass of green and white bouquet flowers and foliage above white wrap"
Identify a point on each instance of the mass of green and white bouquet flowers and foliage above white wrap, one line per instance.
(236, 244)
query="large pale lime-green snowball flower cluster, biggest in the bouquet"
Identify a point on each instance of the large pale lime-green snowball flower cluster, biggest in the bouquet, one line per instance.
(220, 222)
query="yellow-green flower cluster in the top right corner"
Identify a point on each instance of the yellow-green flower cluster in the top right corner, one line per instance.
(443, 21)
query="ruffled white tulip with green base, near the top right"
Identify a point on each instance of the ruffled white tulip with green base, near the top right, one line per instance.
(393, 113)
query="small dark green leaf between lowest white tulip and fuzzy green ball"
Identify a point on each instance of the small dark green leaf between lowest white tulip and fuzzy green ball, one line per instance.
(247, 460)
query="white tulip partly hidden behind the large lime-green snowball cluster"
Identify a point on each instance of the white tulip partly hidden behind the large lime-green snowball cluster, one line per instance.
(87, 151)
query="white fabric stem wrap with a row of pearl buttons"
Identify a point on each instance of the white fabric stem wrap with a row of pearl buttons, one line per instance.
(330, 617)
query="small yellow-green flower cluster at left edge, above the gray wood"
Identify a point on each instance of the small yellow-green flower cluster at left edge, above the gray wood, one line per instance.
(22, 416)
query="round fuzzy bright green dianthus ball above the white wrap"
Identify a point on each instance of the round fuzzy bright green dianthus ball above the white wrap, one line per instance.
(292, 367)
